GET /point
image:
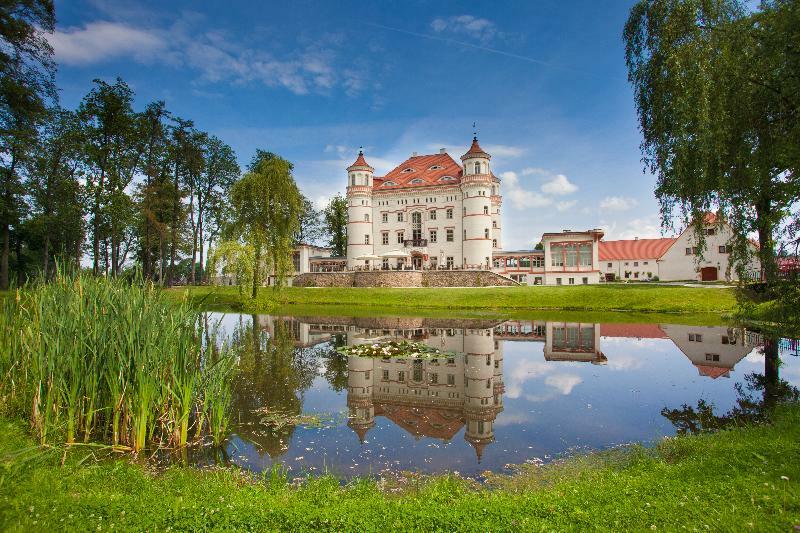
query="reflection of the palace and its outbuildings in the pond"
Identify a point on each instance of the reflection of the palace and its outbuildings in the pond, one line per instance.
(436, 397)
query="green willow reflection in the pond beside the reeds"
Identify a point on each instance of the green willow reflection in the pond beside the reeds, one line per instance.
(273, 376)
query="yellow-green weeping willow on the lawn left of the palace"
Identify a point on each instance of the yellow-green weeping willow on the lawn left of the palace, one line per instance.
(266, 205)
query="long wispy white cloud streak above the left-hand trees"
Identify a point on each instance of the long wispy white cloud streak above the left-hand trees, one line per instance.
(216, 56)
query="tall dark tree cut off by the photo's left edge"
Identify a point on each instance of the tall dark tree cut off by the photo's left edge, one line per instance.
(27, 84)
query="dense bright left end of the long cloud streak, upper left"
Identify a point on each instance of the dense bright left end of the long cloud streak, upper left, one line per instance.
(99, 41)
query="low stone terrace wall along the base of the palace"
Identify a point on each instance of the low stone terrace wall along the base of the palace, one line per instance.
(428, 278)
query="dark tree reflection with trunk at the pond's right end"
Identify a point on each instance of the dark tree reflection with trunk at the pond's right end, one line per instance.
(755, 399)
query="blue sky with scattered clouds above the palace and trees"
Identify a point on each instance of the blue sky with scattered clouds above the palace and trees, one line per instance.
(545, 81)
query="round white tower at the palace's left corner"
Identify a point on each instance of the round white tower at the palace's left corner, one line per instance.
(359, 211)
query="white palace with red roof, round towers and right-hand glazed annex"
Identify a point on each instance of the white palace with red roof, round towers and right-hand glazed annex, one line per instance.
(432, 213)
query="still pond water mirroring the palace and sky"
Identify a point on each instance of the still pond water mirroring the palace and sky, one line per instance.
(504, 392)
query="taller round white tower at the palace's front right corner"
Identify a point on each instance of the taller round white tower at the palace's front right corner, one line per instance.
(476, 192)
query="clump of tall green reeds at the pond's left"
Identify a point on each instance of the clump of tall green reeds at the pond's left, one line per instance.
(105, 360)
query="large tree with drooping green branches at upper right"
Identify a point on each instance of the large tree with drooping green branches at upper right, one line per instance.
(717, 90)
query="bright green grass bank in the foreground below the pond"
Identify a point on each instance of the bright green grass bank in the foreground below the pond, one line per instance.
(739, 479)
